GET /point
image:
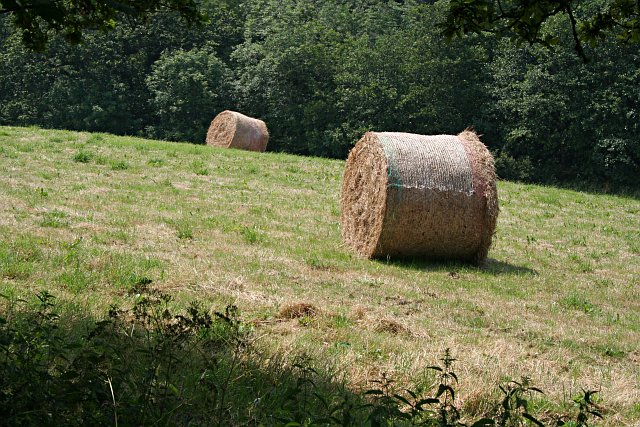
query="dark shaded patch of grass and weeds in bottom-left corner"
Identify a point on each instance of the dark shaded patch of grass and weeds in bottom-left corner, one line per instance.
(149, 366)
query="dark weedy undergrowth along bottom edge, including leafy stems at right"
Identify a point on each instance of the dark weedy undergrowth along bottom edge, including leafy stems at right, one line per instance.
(148, 365)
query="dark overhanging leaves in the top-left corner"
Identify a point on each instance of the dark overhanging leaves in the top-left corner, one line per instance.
(38, 20)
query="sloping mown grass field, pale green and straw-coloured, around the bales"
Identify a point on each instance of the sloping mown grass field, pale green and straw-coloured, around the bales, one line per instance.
(87, 216)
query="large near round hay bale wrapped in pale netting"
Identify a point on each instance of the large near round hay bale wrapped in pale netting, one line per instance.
(407, 195)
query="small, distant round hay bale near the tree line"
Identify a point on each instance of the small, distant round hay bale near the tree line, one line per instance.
(231, 129)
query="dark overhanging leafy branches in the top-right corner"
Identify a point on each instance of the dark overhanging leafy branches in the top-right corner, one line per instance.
(523, 20)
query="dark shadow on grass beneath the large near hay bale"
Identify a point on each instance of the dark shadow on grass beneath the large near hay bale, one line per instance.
(490, 266)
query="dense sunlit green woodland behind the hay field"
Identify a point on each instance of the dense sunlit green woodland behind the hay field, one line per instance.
(322, 73)
